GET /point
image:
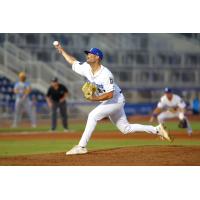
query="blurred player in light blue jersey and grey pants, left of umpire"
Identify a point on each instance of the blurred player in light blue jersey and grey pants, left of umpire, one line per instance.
(22, 90)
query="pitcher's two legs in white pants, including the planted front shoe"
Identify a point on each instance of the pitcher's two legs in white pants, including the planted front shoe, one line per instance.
(105, 110)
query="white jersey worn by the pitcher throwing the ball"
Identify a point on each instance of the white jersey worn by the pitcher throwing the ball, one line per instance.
(103, 79)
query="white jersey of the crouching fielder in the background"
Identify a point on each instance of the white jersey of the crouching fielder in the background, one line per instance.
(166, 104)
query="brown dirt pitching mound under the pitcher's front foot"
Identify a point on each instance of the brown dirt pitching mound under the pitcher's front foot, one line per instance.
(132, 156)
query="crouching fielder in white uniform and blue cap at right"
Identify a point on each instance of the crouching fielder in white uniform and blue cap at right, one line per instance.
(171, 106)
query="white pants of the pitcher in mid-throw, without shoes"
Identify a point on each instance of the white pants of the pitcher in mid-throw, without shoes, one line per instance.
(115, 112)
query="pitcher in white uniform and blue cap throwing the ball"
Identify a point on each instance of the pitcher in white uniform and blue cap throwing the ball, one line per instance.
(108, 94)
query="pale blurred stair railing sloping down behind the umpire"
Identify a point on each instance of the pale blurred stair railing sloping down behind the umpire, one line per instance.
(13, 60)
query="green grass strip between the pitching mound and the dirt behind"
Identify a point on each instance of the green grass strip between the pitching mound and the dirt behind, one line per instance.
(10, 148)
